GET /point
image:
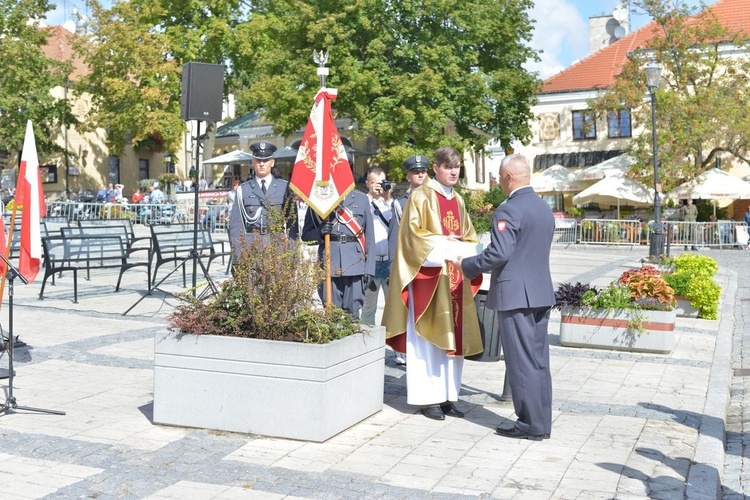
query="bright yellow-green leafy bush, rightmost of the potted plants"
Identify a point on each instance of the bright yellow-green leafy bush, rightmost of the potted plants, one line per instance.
(692, 277)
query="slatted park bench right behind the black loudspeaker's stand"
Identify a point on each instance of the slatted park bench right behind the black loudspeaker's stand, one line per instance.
(175, 243)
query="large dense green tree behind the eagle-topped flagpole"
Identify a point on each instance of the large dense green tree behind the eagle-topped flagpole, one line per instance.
(406, 71)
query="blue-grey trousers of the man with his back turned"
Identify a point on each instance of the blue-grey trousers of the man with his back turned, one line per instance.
(523, 333)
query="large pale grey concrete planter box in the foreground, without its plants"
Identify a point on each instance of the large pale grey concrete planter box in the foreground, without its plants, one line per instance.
(273, 388)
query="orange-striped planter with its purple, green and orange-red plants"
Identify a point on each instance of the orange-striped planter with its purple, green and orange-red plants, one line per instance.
(634, 313)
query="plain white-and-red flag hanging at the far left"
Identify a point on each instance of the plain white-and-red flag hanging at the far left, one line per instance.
(30, 197)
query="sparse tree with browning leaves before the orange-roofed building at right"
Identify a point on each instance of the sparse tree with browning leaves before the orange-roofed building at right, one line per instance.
(702, 99)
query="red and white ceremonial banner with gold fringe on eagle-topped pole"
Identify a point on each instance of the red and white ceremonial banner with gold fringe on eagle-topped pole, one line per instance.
(322, 176)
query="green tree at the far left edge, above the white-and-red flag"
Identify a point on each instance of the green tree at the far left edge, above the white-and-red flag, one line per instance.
(27, 78)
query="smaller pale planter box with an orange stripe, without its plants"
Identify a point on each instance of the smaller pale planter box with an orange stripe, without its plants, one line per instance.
(602, 329)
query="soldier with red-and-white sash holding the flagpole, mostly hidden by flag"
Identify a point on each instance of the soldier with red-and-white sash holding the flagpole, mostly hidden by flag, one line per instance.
(352, 242)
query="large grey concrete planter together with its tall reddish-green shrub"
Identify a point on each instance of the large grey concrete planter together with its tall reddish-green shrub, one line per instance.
(262, 357)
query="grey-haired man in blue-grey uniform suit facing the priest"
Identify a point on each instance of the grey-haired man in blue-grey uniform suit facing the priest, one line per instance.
(522, 293)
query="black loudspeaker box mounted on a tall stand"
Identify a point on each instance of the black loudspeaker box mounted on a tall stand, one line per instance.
(202, 91)
